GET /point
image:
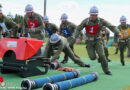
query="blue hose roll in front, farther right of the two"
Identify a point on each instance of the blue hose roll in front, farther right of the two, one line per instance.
(65, 85)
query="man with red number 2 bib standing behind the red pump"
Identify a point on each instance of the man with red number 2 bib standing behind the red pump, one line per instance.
(33, 25)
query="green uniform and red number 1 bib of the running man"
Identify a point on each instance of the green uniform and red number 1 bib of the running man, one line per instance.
(93, 38)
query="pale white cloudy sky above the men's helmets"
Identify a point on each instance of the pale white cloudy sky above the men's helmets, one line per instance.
(77, 10)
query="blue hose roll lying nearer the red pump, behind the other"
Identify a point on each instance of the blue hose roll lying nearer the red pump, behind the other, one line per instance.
(38, 83)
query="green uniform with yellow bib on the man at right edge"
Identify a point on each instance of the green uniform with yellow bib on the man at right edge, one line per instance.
(125, 41)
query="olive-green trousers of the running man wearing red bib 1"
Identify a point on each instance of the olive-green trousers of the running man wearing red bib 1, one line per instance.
(96, 46)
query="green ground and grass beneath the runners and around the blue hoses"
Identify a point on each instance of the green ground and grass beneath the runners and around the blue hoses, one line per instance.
(120, 79)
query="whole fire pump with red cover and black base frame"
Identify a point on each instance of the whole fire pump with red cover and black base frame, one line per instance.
(19, 55)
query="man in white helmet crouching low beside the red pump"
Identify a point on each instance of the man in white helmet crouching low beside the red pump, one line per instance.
(61, 44)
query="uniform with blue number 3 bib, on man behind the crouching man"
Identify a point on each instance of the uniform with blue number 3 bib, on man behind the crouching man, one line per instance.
(68, 31)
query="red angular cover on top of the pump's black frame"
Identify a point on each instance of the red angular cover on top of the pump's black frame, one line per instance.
(24, 48)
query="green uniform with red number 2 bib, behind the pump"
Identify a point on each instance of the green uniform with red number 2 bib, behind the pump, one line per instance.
(36, 21)
